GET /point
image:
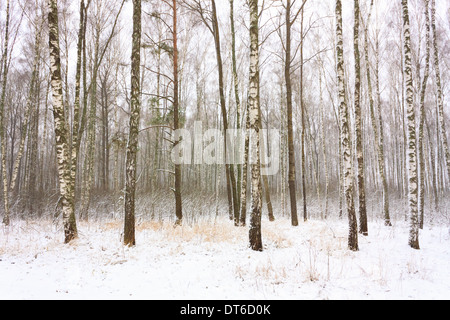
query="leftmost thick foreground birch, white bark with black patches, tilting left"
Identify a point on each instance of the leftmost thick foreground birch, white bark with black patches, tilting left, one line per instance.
(67, 189)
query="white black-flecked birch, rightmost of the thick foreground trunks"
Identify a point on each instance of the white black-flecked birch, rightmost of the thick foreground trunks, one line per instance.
(411, 123)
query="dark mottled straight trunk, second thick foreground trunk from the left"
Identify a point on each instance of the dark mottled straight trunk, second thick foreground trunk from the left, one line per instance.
(132, 147)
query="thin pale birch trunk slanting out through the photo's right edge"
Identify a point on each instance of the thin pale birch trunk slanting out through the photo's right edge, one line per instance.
(440, 97)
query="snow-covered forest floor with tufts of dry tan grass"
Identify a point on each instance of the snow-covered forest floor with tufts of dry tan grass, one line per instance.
(212, 261)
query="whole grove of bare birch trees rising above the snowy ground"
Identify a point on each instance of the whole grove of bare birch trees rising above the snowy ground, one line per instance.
(356, 92)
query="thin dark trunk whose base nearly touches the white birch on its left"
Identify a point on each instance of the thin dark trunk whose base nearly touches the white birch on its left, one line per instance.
(363, 228)
